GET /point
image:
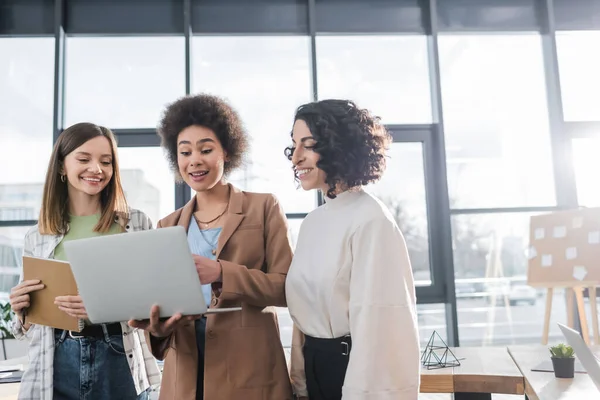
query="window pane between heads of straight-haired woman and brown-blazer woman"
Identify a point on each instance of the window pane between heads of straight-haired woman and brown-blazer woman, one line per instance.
(148, 181)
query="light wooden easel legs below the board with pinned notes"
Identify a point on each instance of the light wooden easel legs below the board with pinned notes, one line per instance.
(577, 291)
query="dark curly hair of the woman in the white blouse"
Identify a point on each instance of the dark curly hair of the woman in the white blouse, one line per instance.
(350, 141)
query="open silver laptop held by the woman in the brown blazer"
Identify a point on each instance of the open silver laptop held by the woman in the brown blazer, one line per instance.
(120, 277)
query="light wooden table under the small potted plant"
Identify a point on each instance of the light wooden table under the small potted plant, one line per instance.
(543, 385)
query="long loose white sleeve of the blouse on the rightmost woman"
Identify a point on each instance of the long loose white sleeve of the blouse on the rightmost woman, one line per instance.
(385, 357)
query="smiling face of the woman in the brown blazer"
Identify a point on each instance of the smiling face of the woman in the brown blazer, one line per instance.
(200, 157)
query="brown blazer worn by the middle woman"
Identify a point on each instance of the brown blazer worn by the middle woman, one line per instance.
(244, 356)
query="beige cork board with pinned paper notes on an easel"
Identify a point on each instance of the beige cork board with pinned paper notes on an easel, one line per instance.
(564, 249)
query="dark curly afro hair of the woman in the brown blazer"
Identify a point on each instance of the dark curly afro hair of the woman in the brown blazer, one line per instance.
(210, 112)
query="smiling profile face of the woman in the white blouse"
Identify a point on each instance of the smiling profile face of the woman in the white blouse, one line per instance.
(305, 159)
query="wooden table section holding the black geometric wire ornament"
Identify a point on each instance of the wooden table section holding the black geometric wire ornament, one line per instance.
(483, 371)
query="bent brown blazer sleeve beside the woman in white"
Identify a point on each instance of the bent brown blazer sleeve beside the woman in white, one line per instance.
(257, 287)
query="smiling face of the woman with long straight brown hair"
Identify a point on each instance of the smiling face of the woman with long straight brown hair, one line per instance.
(89, 168)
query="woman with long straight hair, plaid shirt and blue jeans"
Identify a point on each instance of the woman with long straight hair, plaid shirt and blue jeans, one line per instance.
(82, 198)
